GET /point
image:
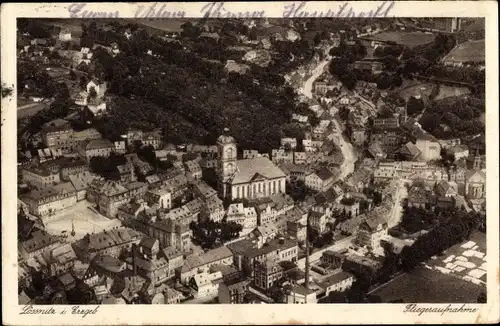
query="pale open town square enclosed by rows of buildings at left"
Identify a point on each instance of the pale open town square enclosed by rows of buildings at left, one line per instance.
(84, 219)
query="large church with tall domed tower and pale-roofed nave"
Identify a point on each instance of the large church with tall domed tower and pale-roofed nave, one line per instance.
(249, 178)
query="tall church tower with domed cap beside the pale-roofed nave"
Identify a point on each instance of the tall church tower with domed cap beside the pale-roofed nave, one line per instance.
(226, 165)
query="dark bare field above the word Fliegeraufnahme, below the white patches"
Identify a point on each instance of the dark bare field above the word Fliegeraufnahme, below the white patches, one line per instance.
(428, 286)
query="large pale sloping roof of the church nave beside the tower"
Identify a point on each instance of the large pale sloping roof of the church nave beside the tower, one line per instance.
(247, 169)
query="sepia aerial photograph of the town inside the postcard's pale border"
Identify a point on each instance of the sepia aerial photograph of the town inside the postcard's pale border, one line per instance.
(245, 161)
